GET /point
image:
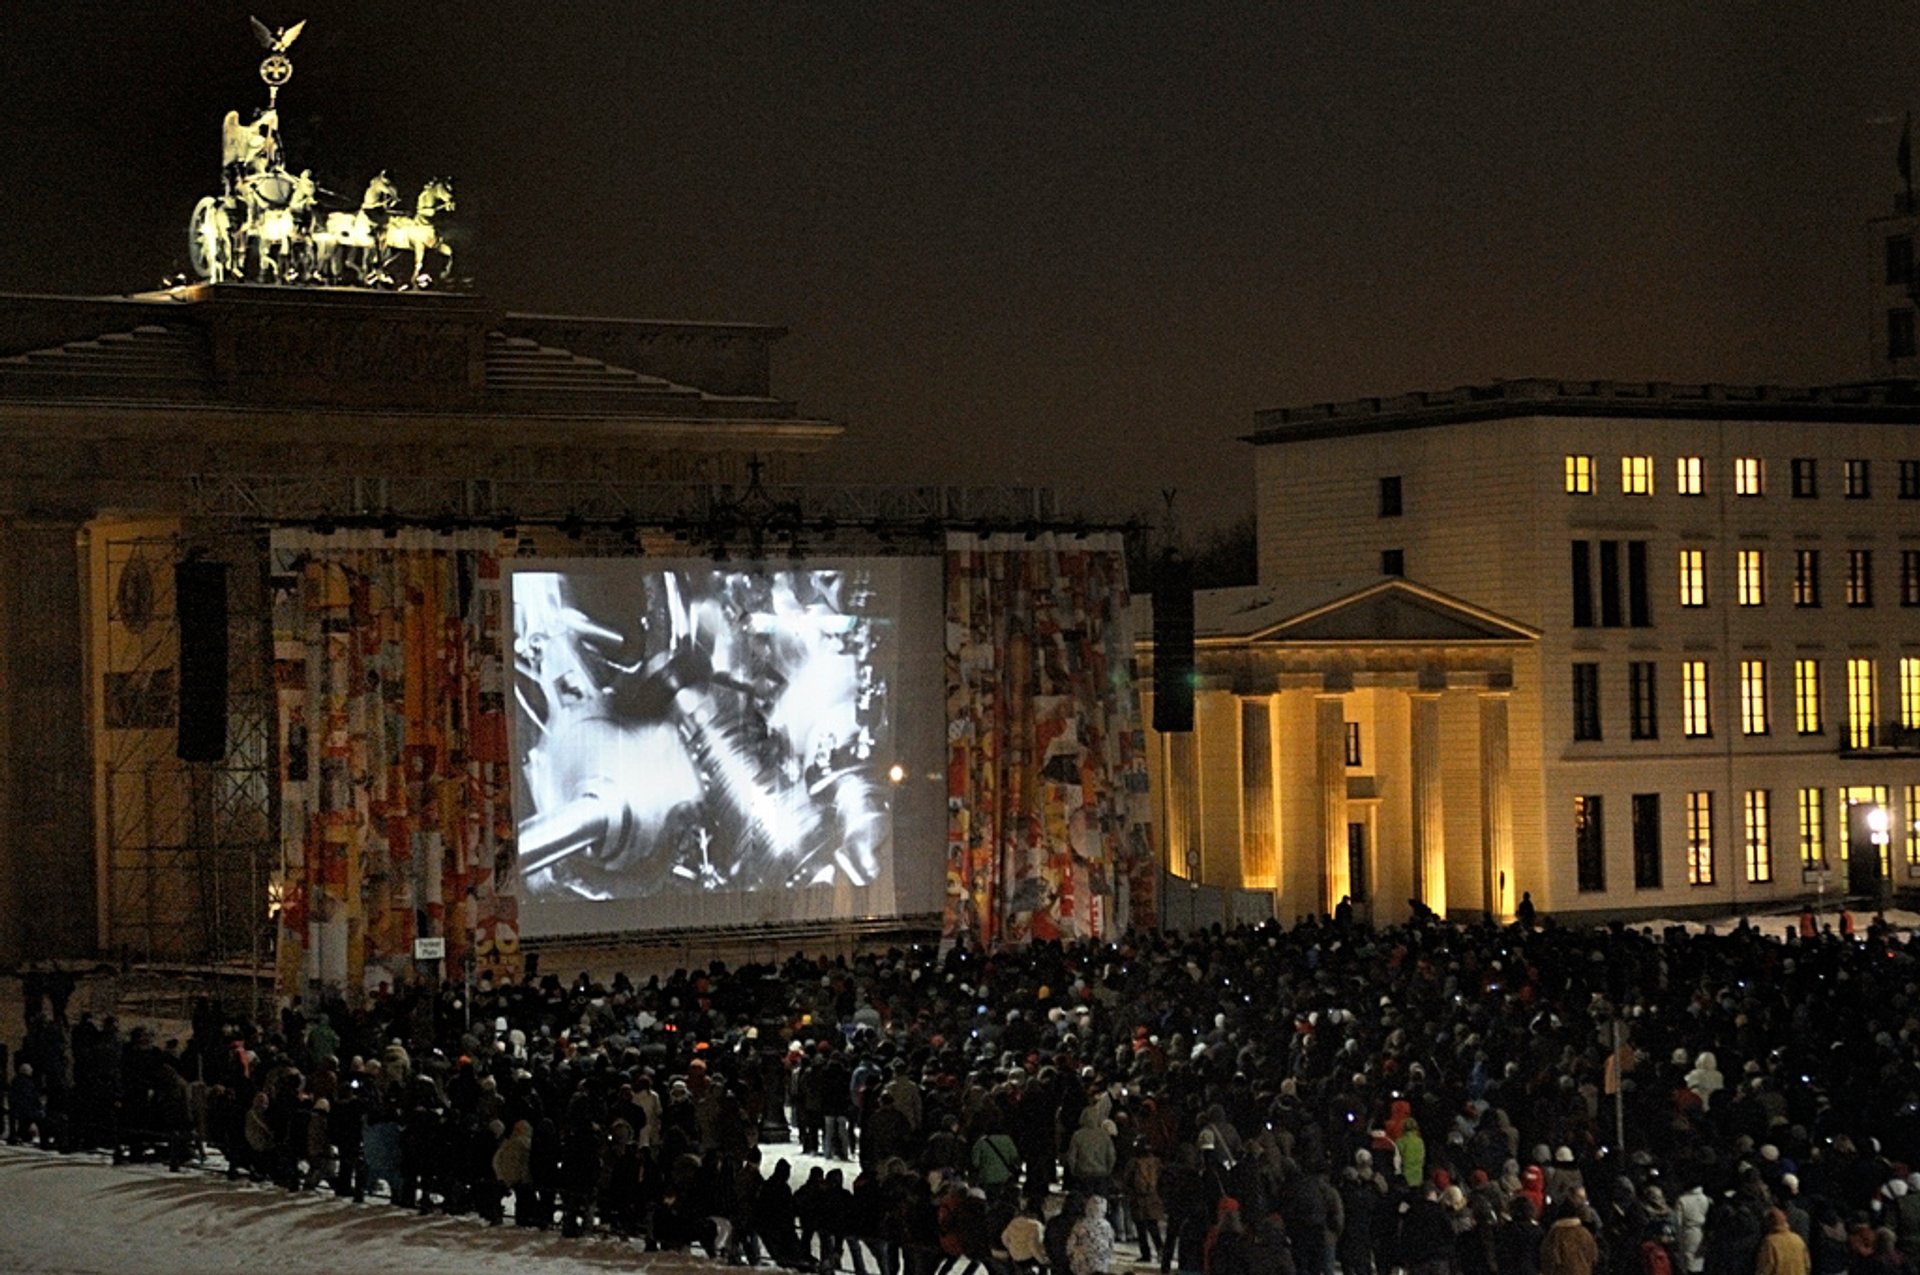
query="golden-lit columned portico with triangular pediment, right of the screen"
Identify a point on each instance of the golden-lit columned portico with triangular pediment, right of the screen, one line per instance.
(1355, 750)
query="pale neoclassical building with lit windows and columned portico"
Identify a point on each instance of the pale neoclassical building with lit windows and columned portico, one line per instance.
(1631, 648)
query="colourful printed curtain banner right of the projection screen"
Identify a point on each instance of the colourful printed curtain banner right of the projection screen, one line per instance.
(1049, 830)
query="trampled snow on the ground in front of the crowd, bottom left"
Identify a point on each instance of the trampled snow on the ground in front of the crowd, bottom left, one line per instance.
(84, 1216)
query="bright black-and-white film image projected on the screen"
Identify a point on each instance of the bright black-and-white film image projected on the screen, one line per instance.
(696, 729)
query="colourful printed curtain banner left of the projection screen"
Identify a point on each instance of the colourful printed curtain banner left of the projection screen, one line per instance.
(395, 790)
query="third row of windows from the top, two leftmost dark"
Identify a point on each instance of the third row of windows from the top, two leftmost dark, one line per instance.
(1696, 700)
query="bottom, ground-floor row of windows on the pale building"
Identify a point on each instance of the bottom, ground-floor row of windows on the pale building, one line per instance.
(1867, 834)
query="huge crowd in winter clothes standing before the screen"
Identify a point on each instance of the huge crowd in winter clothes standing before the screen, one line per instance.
(1433, 1099)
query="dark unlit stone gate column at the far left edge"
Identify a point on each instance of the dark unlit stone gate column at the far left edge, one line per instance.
(47, 840)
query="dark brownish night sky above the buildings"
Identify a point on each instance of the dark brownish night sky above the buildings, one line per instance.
(1061, 243)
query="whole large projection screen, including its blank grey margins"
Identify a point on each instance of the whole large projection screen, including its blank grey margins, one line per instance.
(709, 744)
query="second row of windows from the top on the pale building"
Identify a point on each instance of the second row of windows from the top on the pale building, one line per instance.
(1620, 569)
